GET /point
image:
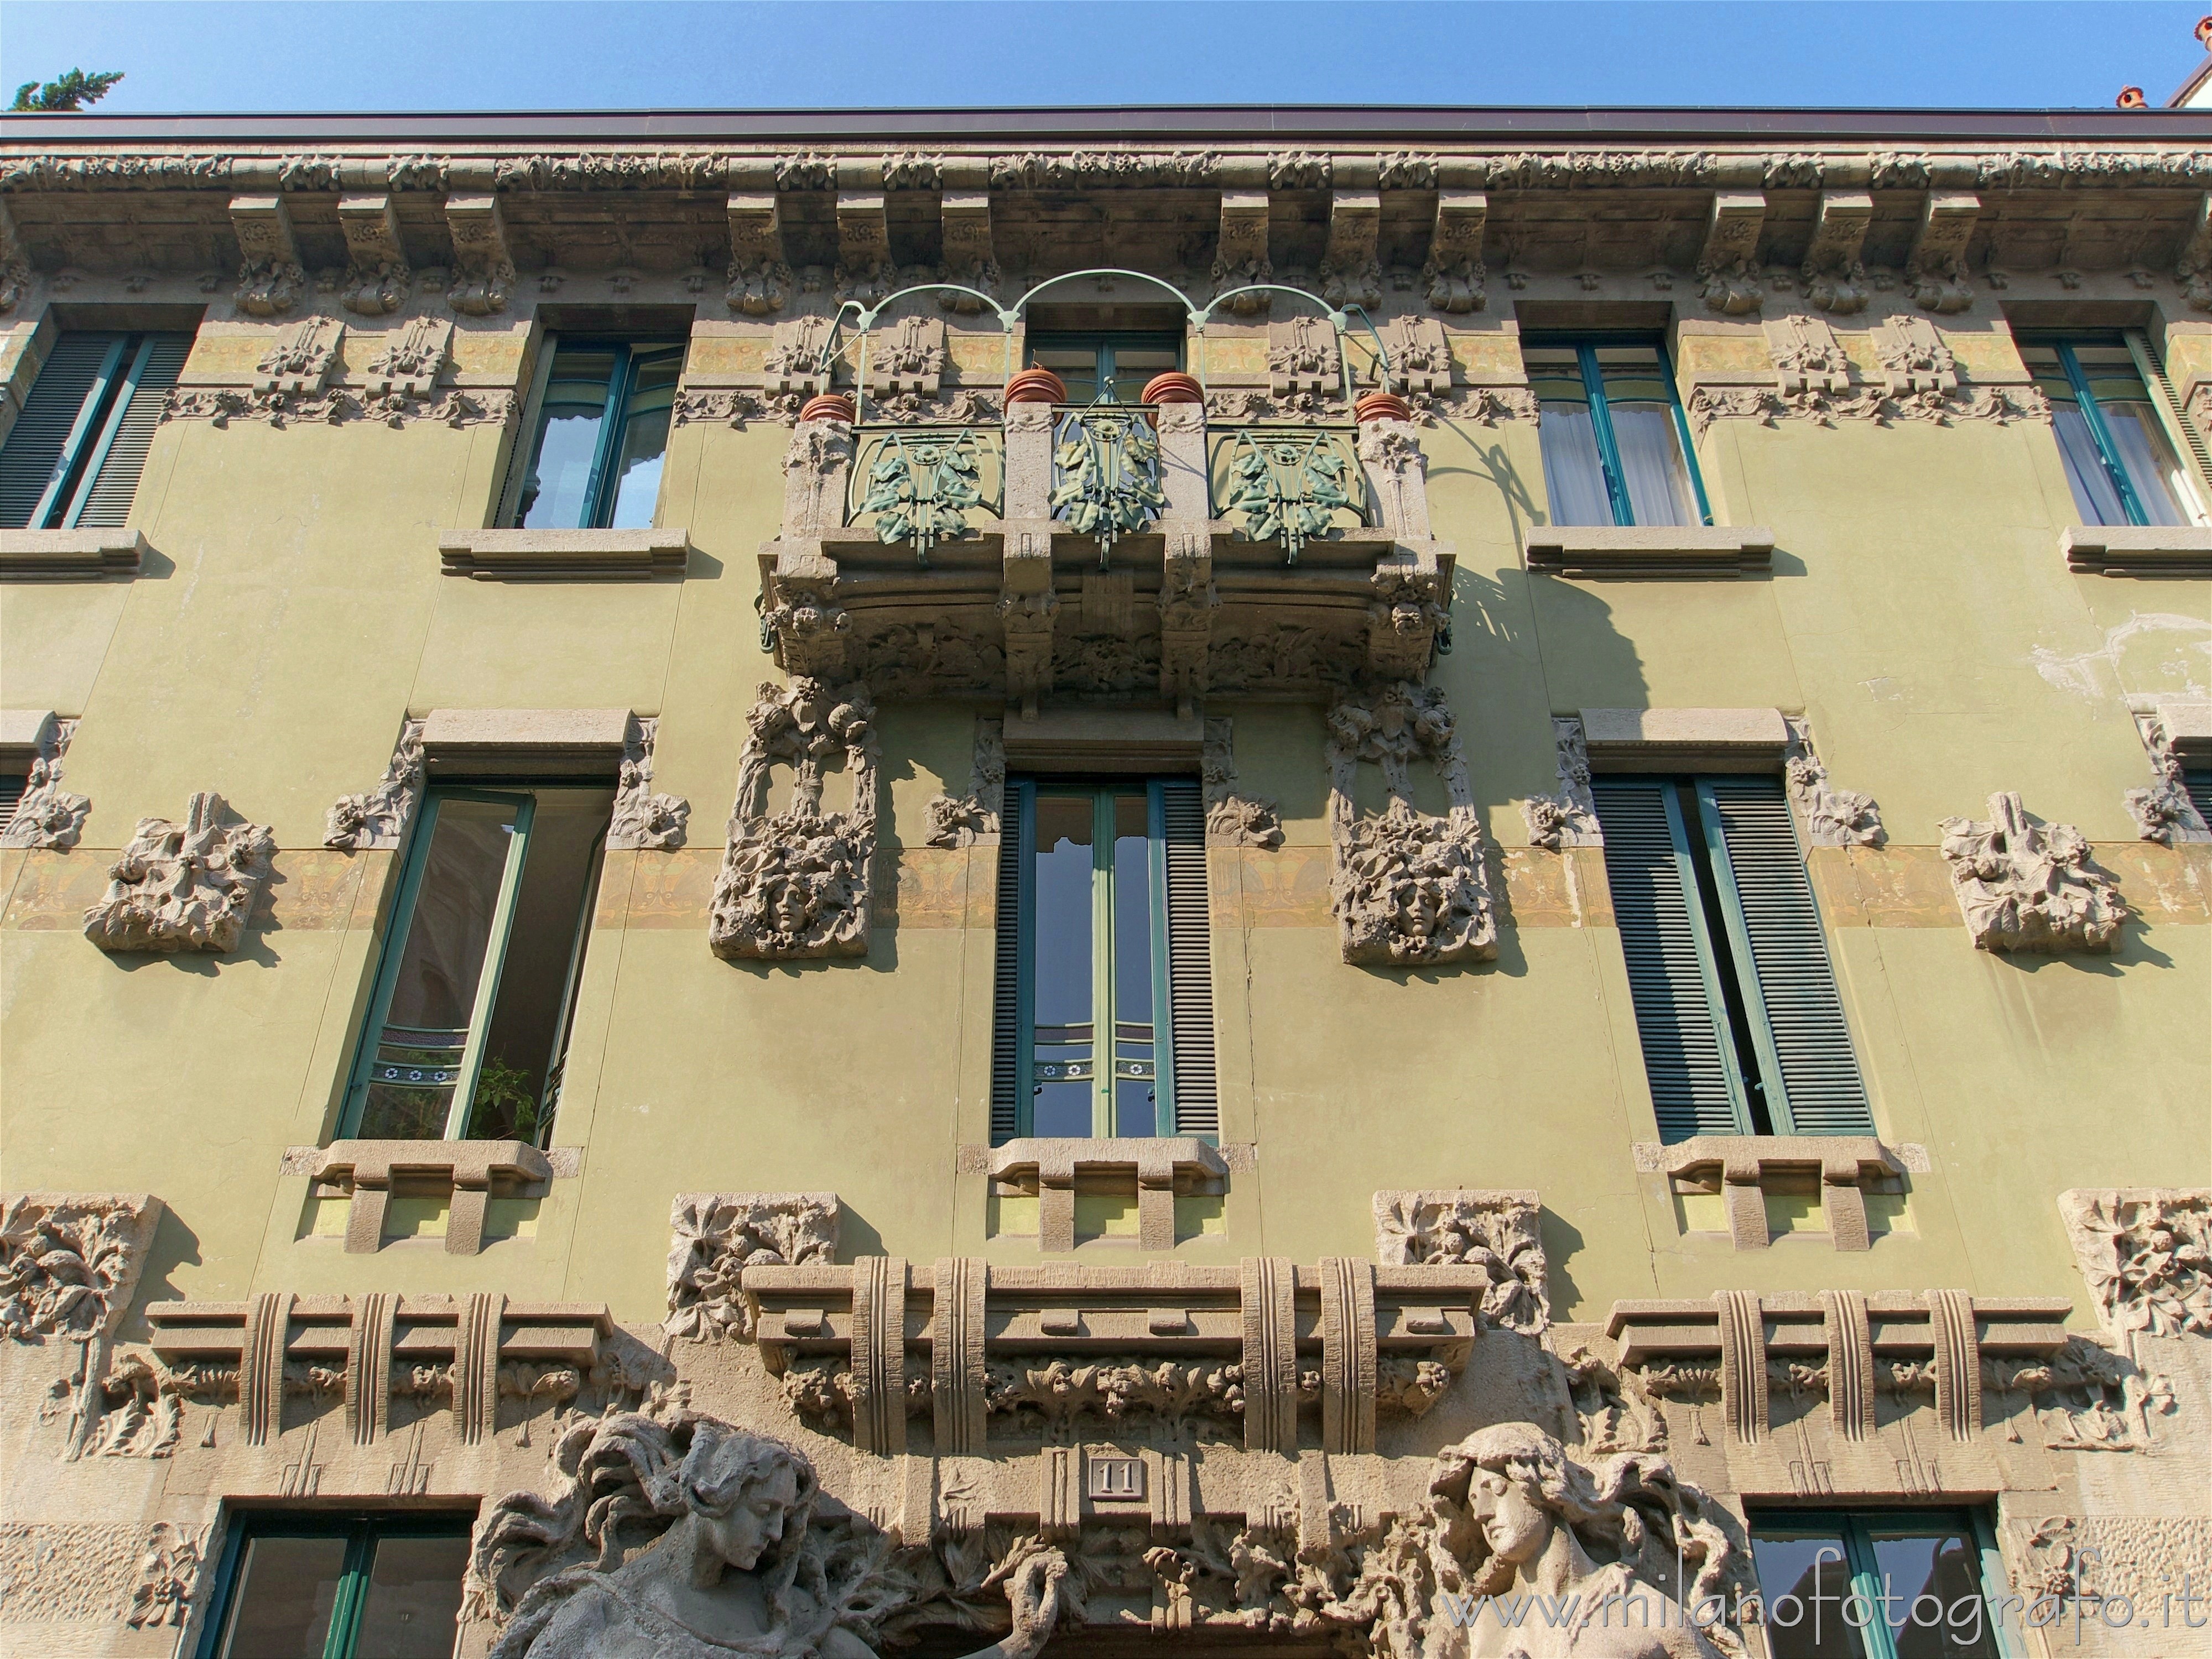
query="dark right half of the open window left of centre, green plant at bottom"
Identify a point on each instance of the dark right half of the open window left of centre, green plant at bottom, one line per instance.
(543, 946)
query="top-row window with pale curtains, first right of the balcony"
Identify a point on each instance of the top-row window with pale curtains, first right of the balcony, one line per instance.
(1616, 446)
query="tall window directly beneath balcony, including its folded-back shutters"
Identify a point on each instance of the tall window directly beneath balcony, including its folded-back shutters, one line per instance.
(1105, 1014)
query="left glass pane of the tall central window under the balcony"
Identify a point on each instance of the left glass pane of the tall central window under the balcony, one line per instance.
(1061, 966)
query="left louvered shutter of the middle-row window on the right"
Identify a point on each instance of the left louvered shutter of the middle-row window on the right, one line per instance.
(1673, 985)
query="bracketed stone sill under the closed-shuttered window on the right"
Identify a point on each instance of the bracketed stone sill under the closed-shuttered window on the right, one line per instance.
(1760, 1173)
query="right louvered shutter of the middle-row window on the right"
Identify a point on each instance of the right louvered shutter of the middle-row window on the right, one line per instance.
(1782, 961)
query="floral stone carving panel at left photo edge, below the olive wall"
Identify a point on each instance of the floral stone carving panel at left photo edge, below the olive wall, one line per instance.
(72, 1260)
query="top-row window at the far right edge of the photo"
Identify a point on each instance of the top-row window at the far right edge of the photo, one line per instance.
(2116, 432)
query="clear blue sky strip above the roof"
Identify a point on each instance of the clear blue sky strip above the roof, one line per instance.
(636, 54)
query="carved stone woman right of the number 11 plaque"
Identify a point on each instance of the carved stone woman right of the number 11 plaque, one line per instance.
(1516, 1516)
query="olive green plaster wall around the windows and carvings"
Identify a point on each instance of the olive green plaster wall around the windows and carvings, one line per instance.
(1919, 614)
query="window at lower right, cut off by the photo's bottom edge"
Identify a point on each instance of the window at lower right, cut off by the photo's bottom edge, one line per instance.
(1824, 1580)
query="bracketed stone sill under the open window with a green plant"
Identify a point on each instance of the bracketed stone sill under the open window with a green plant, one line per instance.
(466, 1176)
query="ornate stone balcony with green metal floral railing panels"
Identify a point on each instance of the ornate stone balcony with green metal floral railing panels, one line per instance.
(1109, 552)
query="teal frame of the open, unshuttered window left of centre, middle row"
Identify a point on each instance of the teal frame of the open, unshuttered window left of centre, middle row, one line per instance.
(488, 985)
